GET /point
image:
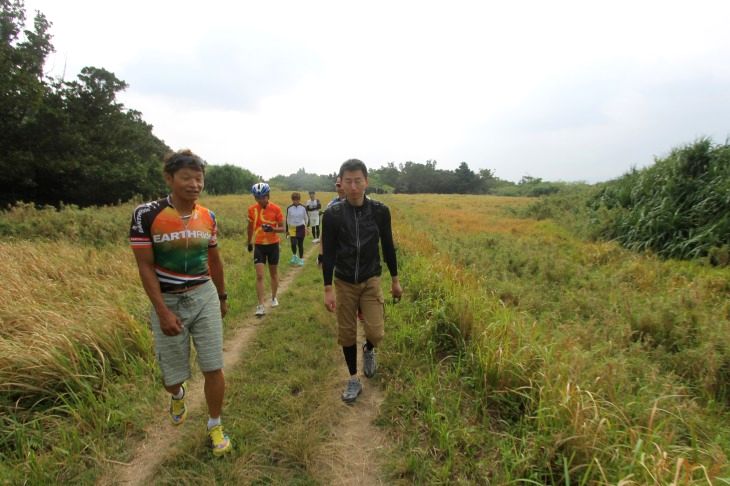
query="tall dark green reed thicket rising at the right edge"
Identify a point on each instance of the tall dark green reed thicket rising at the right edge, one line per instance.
(678, 208)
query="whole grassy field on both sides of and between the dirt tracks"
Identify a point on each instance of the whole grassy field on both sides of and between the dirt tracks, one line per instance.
(519, 354)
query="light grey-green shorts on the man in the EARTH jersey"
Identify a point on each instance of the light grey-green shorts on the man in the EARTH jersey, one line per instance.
(199, 309)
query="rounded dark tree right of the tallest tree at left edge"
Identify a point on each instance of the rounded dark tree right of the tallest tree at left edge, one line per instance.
(101, 153)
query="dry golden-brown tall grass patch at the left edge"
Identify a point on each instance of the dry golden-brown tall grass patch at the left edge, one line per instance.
(62, 308)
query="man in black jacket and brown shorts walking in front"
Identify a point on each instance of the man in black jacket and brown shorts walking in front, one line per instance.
(351, 233)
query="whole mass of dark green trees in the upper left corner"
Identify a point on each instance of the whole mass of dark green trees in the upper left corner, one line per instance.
(70, 142)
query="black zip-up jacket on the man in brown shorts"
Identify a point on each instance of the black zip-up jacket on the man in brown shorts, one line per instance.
(350, 237)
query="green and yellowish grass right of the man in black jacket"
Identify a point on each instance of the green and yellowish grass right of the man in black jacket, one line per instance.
(526, 355)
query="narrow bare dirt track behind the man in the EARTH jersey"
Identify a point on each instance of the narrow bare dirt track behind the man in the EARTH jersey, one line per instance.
(160, 435)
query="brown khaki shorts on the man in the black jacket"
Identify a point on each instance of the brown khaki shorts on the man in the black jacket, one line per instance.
(368, 296)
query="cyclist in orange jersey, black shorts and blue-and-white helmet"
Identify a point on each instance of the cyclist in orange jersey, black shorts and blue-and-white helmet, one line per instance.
(265, 221)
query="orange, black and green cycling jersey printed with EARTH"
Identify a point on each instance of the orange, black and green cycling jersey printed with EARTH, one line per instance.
(180, 244)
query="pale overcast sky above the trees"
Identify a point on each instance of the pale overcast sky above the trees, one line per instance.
(563, 90)
